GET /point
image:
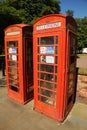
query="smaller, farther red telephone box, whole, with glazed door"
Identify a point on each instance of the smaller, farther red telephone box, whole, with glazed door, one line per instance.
(19, 62)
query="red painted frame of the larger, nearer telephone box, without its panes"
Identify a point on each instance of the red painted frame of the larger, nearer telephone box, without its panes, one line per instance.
(67, 24)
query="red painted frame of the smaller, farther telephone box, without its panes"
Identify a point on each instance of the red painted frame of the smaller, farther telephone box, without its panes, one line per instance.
(24, 32)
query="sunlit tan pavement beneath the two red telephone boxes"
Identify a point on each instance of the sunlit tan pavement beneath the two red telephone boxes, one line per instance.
(15, 116)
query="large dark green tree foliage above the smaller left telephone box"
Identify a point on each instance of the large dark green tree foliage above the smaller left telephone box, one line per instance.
(24, 11)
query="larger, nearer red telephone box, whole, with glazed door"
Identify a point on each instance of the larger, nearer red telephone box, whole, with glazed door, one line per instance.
(54, 49)
